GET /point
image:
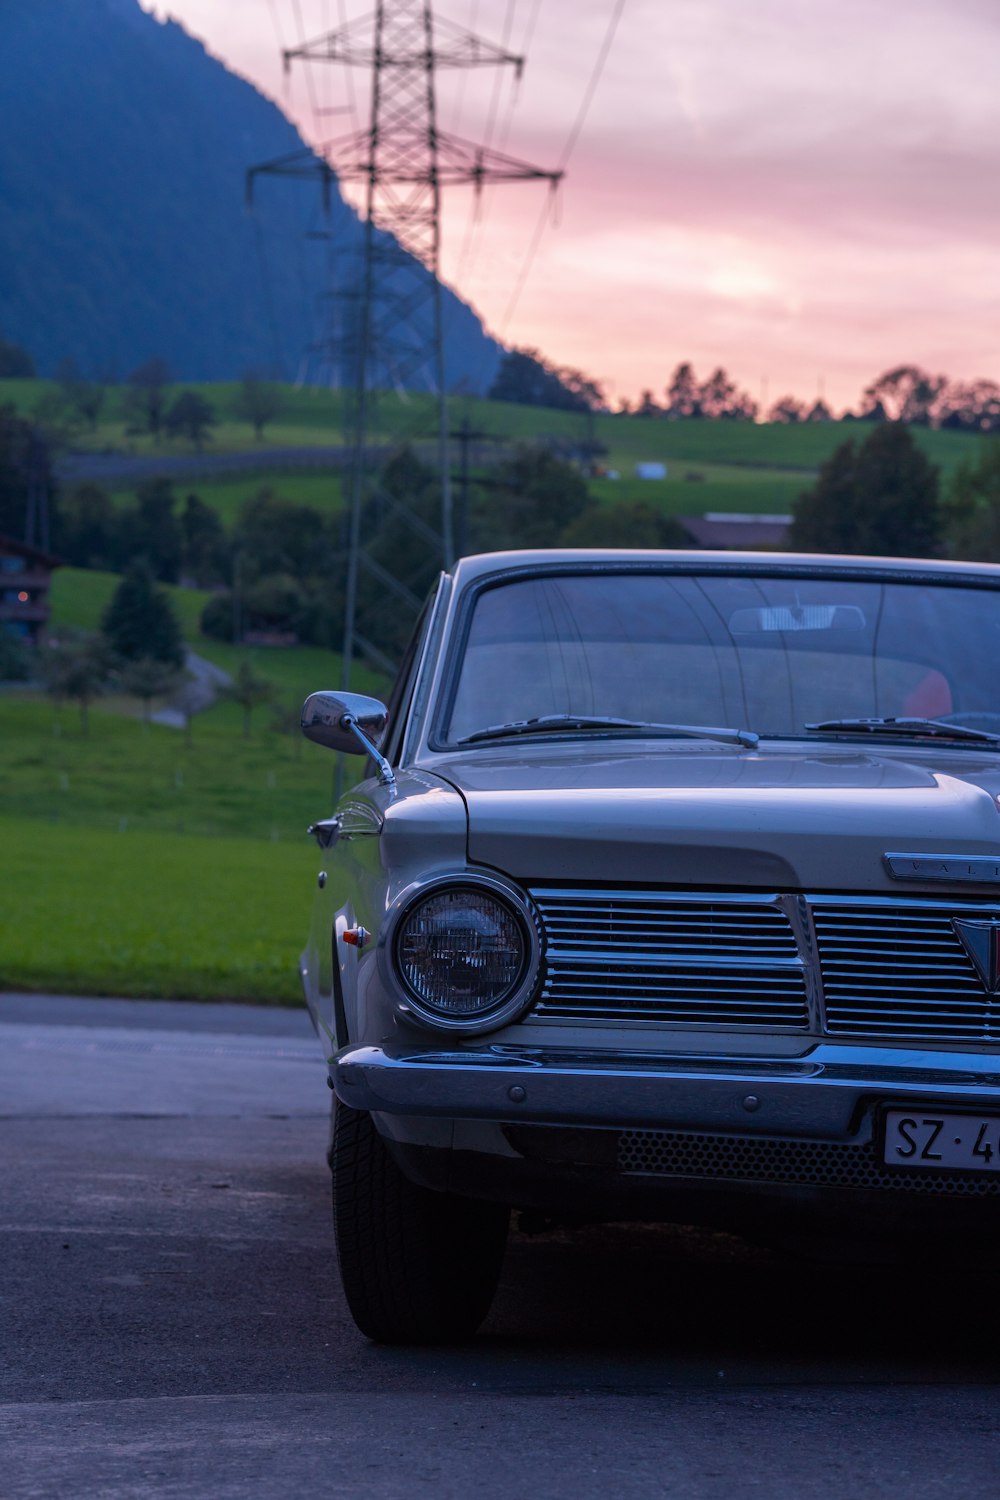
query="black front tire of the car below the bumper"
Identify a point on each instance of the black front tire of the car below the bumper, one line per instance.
(418, 1267)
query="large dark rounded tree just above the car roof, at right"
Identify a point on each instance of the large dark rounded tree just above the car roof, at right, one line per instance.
(879, 499)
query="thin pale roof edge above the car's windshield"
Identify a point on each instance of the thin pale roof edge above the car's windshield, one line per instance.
(501, 565)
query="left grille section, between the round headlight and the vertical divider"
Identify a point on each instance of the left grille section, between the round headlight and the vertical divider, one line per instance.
(684, 959)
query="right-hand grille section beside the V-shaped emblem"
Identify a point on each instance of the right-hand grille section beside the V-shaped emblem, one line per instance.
(899, 968)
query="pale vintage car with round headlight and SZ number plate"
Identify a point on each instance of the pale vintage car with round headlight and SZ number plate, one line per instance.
(674, 893)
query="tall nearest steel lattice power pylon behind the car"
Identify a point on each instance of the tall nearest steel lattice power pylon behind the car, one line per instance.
(395, 320)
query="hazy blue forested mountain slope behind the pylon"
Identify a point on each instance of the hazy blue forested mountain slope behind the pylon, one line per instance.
(122, 197)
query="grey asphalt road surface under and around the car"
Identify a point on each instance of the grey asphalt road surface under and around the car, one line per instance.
(172, 1321)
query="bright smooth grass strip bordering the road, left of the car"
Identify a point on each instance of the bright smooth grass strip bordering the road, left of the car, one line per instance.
(91, 911)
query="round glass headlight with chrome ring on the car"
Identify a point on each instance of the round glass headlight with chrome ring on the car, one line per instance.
(467, 956)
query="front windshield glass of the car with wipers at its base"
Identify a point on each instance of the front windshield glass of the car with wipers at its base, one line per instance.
(765, 653)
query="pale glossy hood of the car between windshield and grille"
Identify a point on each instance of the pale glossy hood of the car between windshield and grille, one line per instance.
(707, 815)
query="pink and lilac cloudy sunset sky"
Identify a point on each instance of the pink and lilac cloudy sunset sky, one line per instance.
(801, 191)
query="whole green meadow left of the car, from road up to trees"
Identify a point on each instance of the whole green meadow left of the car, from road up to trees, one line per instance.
(143, 862)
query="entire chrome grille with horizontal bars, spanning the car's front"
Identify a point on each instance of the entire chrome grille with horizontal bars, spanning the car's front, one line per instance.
(872, 967)
